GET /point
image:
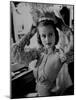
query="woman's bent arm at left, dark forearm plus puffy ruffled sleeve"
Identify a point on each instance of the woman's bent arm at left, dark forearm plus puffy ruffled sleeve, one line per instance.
(20, 55)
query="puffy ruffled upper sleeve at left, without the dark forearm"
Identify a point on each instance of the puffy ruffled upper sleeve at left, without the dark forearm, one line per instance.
(24, 56)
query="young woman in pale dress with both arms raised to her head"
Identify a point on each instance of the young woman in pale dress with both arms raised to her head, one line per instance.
(51, 69)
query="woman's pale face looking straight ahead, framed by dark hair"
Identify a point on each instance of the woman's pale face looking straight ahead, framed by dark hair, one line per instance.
(47, 34)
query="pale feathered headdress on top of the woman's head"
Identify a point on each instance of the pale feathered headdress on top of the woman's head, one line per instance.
(43, 12)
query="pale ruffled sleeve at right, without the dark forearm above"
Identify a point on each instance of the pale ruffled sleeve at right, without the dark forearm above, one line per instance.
(66, 52)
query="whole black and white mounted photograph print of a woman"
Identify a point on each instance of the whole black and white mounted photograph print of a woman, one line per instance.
(41, 49)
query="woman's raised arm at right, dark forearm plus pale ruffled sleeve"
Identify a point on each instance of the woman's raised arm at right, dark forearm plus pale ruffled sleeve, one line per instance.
(66, 50)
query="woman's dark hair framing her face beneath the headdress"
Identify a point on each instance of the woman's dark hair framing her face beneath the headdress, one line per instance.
(46, 23)
